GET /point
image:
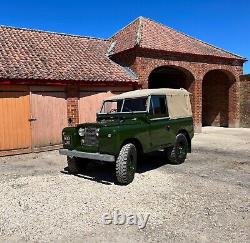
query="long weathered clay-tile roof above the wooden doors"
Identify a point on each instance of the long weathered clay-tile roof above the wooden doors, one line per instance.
(32, 54)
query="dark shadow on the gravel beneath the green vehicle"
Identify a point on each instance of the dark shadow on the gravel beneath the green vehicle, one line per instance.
(104, 173)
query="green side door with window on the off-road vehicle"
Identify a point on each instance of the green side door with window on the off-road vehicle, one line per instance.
(160, 129)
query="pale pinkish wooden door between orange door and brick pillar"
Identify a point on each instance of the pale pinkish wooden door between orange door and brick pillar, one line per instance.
(50, 111)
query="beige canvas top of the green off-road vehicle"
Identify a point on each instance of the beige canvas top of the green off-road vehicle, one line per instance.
(177, 99)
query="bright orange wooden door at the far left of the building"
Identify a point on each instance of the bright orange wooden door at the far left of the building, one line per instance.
(15, 132)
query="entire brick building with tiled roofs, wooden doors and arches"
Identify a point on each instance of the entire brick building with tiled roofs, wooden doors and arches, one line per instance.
(50, 80)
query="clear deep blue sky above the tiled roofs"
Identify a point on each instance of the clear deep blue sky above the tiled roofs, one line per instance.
(223, 23)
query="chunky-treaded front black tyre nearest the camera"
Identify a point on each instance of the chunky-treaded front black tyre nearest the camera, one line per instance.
(126, 164)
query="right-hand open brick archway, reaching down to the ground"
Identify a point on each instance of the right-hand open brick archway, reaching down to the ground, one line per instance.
(218, 95)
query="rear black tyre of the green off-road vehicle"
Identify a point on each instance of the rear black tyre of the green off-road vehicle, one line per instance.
(178, 153)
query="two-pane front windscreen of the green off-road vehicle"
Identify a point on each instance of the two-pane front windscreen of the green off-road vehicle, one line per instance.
(126, 105)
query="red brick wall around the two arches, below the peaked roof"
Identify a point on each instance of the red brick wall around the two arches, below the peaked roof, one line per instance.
(143, 62)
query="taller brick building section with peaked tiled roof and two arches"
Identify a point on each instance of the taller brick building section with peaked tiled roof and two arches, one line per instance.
(164, 57)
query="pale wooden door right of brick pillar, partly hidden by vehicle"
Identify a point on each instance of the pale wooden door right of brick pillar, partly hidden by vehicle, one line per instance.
(89, 104)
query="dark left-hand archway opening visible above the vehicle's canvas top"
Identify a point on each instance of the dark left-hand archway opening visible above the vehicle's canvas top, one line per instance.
(170, 77)
